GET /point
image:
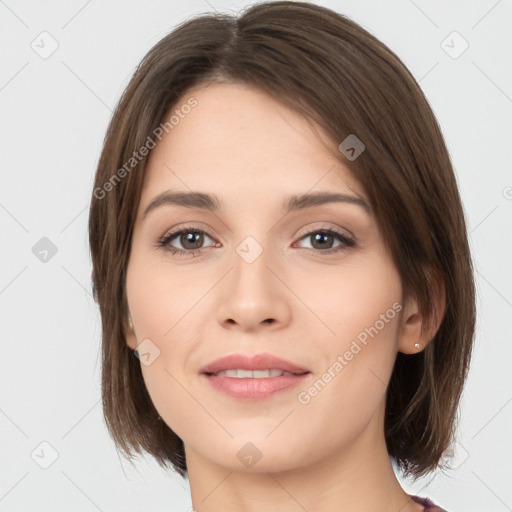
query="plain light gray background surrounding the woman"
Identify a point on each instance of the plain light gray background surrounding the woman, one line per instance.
(54, 115)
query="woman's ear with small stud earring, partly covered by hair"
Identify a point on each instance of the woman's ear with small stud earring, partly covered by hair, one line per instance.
(417, 332)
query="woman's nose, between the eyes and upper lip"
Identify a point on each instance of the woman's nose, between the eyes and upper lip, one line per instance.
(252, 295)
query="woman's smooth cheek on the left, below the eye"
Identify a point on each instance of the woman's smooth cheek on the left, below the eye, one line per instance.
(164, 306)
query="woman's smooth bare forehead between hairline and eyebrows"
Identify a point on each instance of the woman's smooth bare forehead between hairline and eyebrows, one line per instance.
(238, 141)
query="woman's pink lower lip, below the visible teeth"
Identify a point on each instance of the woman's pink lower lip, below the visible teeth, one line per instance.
(254, 389)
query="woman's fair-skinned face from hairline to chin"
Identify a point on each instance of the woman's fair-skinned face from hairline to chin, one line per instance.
(312, 284)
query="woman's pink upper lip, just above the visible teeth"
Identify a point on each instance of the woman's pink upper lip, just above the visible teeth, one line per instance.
(261, 361)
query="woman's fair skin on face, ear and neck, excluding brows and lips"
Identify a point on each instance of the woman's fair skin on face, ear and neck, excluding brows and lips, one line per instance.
(330, 453)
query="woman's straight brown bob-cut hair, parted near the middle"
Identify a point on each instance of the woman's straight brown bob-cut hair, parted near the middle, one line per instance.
(337, 75)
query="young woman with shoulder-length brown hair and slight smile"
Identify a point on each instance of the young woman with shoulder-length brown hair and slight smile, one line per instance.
(281, 263)
